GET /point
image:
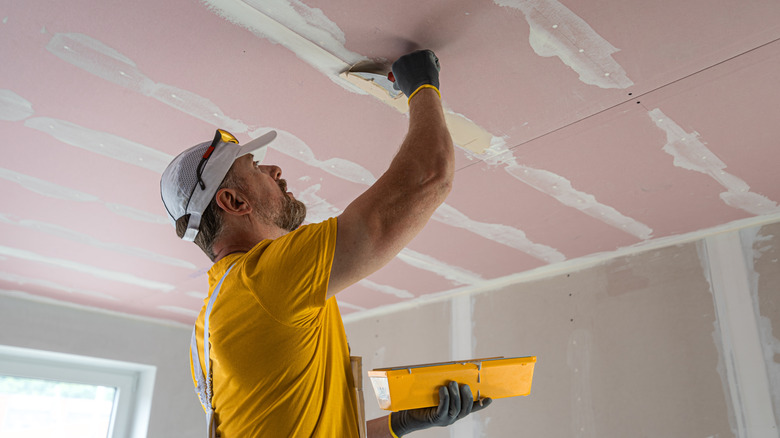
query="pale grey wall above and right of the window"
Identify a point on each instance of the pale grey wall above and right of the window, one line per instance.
(175, 408)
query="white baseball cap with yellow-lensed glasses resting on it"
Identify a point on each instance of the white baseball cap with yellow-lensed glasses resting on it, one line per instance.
(190, 181)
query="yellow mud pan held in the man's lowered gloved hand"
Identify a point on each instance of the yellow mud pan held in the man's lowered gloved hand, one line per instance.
(416, 386)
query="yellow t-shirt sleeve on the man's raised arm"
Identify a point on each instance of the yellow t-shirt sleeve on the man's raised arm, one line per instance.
(289, 277)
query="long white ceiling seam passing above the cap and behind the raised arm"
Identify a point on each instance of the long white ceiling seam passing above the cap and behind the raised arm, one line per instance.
(98, 59)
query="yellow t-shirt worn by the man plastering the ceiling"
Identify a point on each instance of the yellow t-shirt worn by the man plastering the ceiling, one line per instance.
(279, 354)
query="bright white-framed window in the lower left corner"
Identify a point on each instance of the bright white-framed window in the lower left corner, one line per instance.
(45, 394)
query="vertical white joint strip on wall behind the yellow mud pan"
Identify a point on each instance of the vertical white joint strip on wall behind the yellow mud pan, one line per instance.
(462, 348)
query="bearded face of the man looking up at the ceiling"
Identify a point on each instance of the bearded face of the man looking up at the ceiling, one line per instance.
(270, 200)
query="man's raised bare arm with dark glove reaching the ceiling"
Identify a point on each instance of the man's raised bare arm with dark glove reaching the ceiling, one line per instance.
(377, 225)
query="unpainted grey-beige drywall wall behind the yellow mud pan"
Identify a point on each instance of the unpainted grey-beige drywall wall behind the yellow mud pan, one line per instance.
(639, 345)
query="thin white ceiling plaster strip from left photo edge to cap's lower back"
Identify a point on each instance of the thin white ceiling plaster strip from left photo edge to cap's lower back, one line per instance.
(52, 190)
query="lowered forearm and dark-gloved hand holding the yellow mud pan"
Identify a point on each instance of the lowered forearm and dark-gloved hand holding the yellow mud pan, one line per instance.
(455, 402)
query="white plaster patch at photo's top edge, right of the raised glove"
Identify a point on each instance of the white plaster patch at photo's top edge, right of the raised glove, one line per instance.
(556, 31)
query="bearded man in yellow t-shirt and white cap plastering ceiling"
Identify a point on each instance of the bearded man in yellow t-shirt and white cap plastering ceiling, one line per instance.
(275, 349)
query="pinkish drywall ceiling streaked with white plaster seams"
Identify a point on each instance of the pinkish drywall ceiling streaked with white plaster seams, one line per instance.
(582, 128)
